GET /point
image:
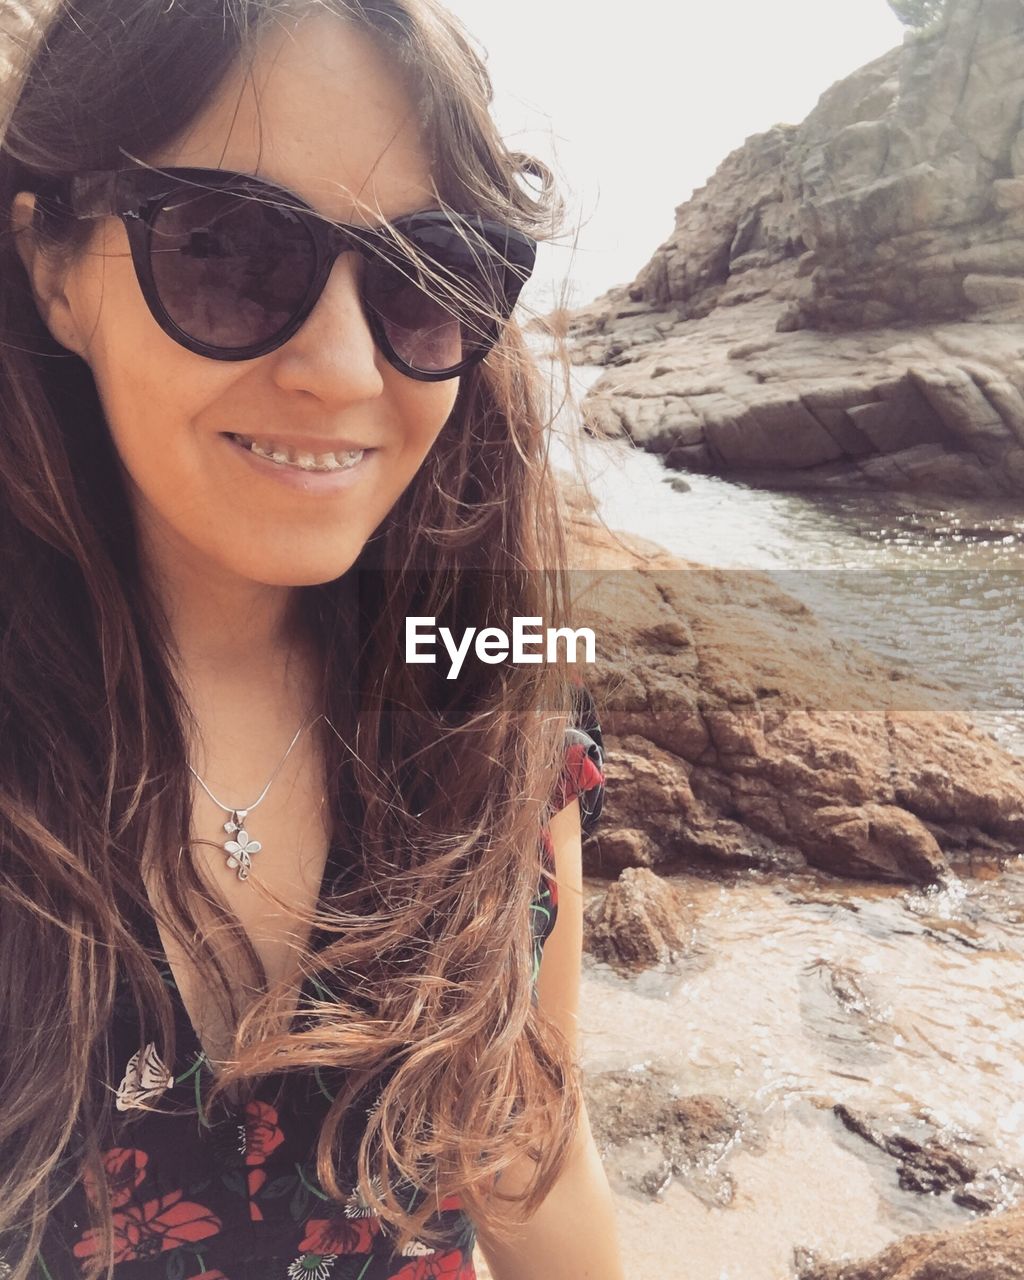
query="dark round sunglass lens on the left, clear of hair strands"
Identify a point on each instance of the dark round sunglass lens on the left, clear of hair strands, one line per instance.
(231, 271)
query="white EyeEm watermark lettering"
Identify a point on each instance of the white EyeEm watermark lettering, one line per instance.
(528, 643)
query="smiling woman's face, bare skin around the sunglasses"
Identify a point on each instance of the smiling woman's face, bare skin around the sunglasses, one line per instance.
(336, 126)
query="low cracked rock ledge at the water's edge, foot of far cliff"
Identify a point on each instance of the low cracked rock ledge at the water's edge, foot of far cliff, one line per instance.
(935, 410)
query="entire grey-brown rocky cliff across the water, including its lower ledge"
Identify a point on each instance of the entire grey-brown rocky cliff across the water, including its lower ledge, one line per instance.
(843, 304)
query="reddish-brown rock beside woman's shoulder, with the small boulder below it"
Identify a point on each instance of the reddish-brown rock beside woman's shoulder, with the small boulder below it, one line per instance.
(742, 733)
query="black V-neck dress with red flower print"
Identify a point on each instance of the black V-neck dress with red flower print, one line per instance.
(237, 1197)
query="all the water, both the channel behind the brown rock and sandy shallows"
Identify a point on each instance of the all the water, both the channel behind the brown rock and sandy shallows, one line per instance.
(801, 993)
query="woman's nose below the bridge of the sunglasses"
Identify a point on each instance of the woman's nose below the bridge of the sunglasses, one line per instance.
(333, 354)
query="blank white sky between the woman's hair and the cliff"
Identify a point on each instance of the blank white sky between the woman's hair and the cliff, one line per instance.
(637, 103)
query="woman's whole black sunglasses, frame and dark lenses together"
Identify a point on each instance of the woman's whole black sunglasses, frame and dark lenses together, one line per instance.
(231, 266)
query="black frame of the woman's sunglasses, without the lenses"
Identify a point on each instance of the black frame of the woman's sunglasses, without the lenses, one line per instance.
(138, 195)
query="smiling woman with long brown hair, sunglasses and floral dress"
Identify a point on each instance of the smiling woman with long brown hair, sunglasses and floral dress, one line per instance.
(271, 899)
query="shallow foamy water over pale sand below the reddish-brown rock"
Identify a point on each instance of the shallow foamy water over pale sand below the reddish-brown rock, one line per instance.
(797, 995)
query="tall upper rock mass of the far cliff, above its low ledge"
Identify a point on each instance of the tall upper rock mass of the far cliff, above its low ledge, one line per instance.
(889, 184)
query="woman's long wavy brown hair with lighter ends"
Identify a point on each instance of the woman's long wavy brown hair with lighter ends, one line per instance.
(426, 964)
